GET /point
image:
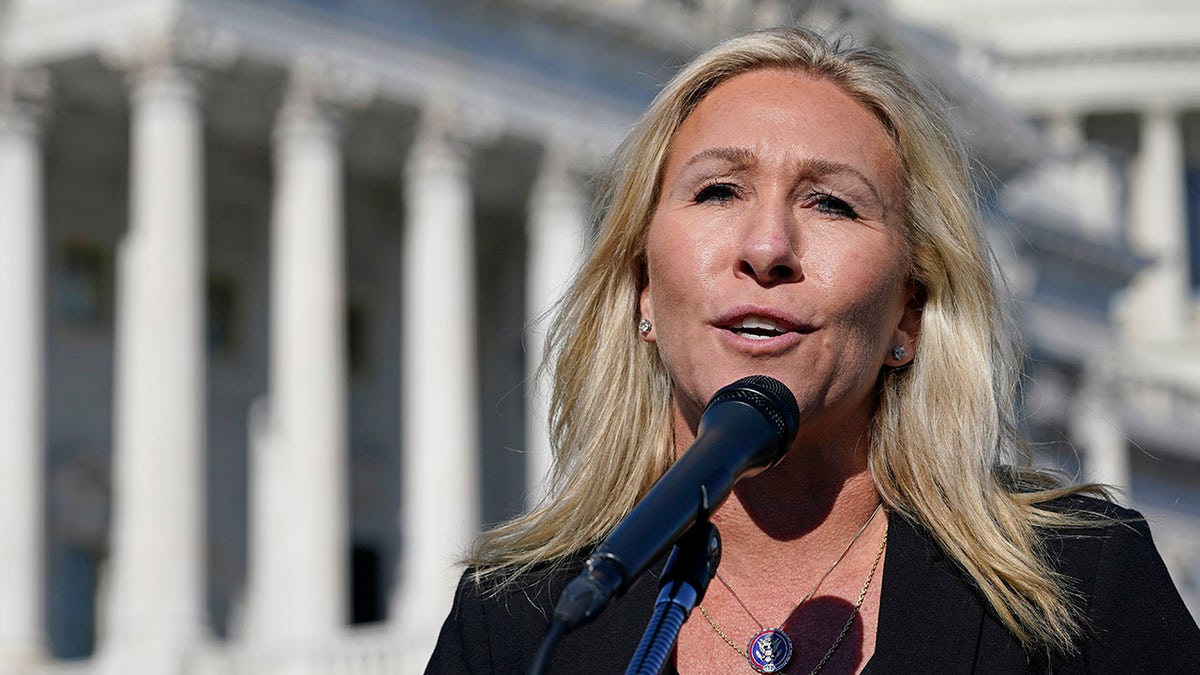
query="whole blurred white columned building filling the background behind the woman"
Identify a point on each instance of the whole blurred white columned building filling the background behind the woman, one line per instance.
(273, 277)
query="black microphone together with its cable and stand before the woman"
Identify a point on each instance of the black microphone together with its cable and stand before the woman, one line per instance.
(748, 425)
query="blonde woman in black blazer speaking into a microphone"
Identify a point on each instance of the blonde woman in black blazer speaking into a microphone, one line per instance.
(802, 211)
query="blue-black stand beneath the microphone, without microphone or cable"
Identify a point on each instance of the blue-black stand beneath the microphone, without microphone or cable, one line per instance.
(691, 568)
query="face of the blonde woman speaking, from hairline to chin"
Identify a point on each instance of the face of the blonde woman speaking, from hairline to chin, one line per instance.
(777, 249)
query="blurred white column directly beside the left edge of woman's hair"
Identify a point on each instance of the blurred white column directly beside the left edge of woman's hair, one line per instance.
(557, 231)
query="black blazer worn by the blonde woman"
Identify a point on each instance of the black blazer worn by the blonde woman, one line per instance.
(932, 619)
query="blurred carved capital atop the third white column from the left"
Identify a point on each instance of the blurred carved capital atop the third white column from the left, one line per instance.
(320, 91)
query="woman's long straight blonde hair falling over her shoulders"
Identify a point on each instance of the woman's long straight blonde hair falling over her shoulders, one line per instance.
(944, 441)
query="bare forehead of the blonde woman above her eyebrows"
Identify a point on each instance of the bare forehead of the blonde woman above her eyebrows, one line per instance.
(790, 117)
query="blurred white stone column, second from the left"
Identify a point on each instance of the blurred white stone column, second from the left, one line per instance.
(155, 594)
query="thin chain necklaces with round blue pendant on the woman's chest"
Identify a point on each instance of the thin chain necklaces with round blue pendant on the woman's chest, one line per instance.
(771, 649)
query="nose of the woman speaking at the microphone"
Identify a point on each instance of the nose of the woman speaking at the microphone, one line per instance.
(770, 247)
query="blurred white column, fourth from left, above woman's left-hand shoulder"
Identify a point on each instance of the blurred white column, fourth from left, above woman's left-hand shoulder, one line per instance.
(440, 509)
